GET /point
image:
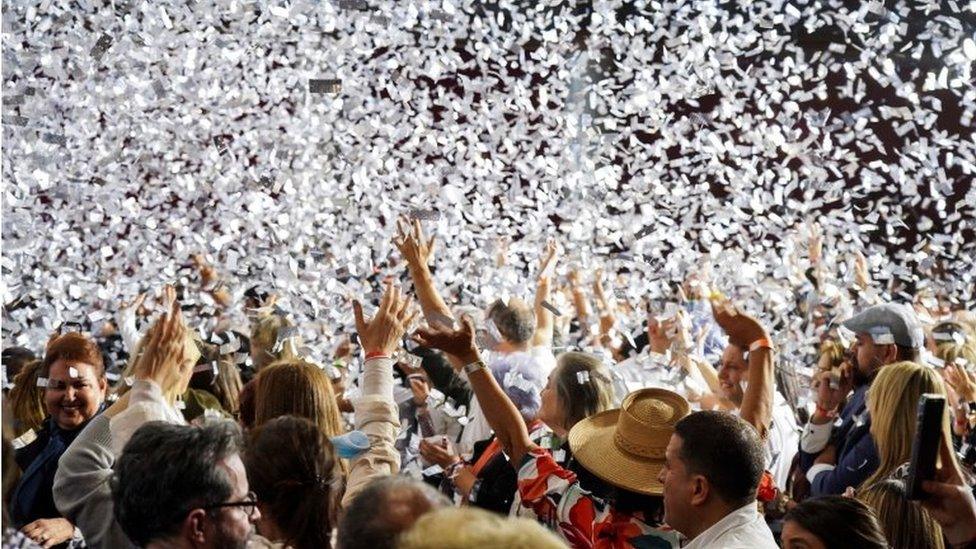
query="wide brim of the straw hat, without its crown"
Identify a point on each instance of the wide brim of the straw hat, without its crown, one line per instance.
(591, 441)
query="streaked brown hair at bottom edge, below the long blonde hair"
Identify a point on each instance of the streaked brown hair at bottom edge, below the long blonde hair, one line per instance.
(906, 524)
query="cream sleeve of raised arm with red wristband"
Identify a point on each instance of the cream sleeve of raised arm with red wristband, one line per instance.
(376, 416)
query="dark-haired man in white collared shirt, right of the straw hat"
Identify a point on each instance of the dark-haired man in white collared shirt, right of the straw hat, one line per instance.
(713, 466)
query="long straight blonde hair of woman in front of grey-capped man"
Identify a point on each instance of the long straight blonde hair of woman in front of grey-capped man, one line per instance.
(893, 403)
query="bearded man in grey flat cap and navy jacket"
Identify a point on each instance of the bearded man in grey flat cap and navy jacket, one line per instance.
(836, 448)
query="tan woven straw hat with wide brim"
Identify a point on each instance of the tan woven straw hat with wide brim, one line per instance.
(625, 447)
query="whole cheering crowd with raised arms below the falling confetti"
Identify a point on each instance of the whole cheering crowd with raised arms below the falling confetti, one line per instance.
(536, 422)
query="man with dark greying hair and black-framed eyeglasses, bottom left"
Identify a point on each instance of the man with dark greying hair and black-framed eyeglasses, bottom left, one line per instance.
(183, 486)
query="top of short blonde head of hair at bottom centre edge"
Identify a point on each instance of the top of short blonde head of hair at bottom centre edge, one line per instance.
(473, 528)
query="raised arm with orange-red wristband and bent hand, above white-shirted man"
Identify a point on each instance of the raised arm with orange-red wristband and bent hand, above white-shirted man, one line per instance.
(746, 333)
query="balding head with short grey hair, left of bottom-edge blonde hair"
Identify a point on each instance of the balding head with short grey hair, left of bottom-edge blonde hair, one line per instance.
(384, 509)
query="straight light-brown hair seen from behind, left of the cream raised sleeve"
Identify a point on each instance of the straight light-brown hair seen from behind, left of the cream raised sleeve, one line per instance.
(297, 388)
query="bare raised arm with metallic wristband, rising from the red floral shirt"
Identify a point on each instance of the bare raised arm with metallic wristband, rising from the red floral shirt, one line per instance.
(501, 414)
